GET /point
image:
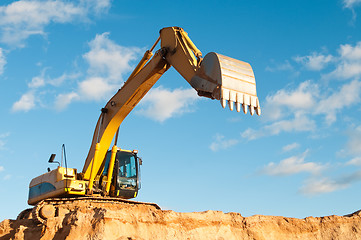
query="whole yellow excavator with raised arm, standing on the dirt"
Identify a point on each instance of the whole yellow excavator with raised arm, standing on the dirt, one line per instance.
(113, 175)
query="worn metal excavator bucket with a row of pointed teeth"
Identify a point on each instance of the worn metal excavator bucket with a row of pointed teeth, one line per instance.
(228, 80)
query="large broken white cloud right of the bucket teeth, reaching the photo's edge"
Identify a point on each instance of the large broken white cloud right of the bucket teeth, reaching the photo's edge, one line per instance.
(291, 110)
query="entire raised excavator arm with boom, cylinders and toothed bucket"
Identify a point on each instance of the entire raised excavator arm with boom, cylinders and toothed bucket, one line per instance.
(215, 76)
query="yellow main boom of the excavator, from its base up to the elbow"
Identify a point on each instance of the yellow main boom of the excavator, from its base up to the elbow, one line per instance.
(117, 108)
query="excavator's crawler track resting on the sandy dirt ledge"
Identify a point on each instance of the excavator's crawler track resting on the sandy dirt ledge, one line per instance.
(54, 207)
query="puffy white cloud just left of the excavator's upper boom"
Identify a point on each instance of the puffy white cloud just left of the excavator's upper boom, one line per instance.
(108, 62)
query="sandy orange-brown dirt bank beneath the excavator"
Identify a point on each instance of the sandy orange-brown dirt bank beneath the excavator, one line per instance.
(114, 221)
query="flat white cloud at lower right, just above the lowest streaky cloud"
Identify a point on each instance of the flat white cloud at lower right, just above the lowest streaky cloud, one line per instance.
(292, 165)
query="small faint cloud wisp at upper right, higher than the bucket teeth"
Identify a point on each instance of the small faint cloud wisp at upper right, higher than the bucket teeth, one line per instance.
(315, 62)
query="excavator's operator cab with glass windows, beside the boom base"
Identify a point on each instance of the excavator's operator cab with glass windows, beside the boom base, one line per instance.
(126, 174)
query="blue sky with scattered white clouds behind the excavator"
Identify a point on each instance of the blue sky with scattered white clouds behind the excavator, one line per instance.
(60, 61)
